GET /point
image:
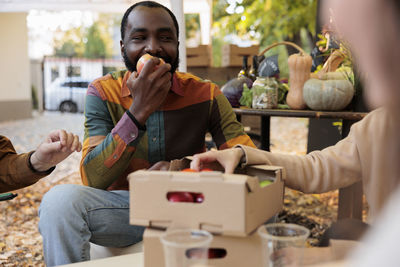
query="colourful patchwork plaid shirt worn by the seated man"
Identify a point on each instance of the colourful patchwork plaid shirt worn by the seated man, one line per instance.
(114, 146)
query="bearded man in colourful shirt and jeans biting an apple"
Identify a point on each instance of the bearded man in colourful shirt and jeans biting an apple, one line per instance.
(133, 120)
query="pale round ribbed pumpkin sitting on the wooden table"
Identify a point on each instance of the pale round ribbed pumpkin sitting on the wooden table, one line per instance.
(333, 94)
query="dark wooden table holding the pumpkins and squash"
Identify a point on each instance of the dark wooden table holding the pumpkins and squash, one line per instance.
(350, 198)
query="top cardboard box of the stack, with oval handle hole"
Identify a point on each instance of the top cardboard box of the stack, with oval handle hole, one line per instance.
(230, 204)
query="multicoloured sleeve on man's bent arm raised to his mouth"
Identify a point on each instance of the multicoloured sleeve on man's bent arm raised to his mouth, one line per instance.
(107, 148)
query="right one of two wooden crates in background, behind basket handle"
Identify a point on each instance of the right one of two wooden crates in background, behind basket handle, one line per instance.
(232, 55)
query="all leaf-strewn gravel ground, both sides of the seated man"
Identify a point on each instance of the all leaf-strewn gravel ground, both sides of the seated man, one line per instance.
(19, 217)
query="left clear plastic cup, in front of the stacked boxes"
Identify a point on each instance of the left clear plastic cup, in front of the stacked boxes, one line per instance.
(186, 247)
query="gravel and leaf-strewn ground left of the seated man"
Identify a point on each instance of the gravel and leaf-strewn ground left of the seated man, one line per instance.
(19, 216)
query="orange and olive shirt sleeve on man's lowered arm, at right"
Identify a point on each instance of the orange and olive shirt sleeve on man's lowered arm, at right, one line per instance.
(224, 127)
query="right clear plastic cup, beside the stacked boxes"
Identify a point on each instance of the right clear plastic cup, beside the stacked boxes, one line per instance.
(283, 244)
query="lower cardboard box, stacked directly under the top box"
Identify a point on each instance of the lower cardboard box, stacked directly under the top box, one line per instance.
(239, 251)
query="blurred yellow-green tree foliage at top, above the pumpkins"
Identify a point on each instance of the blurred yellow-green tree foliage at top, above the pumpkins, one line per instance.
(266, 21)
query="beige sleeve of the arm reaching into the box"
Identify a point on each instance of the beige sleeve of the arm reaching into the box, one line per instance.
(317, 172)
